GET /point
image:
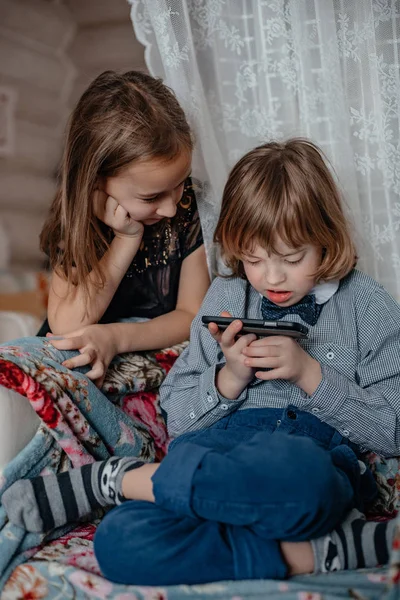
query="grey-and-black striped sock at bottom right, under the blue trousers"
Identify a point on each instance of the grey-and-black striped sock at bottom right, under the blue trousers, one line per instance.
(355, 544)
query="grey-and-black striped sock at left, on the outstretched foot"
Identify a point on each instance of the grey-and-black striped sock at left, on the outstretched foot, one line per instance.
(42, 503)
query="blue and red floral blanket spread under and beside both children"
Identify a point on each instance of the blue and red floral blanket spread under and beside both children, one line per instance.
(81, 424)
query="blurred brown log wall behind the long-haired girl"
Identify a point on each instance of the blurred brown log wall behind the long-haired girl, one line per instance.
(49, 52)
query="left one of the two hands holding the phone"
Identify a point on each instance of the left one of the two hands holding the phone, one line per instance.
(233, 347)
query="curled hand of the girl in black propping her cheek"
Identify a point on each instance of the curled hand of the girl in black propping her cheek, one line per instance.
(115, 216)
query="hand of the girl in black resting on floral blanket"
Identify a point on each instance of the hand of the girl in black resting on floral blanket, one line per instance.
(97, 345)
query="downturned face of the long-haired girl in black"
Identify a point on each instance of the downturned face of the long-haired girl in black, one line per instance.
(149, 190)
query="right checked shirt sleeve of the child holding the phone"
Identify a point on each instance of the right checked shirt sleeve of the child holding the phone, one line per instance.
(367, 411)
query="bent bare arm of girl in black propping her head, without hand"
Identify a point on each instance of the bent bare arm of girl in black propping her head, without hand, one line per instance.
(66, 307)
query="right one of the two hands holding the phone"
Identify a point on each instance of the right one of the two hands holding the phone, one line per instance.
(286, 359)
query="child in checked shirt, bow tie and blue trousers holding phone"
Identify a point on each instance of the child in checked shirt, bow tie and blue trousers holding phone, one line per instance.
(268, 432)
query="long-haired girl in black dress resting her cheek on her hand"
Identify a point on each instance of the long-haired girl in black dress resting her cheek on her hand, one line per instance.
(123, 235)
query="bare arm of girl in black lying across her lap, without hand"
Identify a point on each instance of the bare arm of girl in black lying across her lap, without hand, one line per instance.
(173, 327)
